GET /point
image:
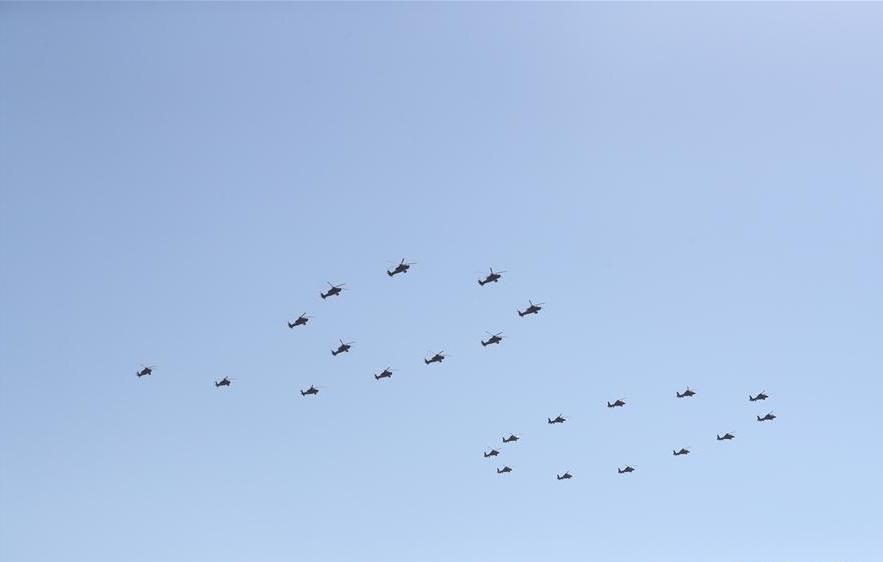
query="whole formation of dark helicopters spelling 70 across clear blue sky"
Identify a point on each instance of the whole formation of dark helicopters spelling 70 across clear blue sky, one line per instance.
(492, 339)
